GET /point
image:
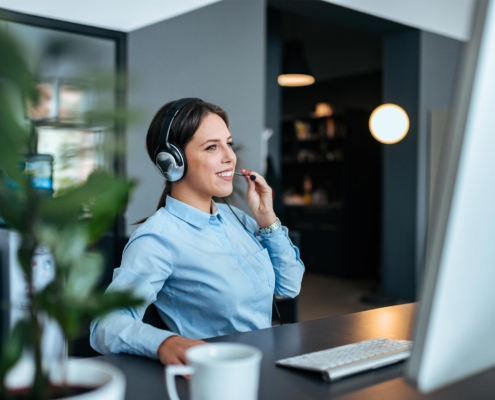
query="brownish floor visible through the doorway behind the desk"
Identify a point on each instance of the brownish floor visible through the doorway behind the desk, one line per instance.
(322, 296)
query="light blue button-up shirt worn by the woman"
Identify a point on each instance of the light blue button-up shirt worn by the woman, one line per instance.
(205, 273)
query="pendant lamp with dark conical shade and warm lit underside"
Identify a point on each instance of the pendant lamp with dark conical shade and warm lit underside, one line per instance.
(295, 70)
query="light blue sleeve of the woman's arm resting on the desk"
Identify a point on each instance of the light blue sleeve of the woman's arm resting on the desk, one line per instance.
(146, 264)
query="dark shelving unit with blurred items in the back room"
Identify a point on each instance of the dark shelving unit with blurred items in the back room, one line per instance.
(336, 165)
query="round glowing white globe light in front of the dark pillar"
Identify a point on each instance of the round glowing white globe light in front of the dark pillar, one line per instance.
(389, 123)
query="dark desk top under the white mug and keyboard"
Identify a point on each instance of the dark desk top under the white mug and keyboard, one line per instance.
(145, 378)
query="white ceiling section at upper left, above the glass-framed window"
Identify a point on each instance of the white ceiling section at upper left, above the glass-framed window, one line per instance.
(120, 15)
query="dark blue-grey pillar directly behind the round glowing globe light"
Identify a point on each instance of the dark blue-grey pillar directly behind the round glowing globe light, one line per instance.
(400, 86)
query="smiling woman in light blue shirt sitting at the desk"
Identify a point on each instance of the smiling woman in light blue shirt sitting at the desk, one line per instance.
(208, 271)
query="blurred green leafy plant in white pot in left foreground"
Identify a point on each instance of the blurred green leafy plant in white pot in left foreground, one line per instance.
(68, 225)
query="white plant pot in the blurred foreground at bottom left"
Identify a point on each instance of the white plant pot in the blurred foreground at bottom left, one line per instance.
(107, 380)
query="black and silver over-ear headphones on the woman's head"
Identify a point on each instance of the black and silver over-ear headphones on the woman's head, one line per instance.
(169, 158)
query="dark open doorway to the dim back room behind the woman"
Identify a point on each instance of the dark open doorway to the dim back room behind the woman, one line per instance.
(325, 165)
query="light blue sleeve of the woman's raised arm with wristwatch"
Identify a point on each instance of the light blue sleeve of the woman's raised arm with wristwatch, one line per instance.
(285, 257)
